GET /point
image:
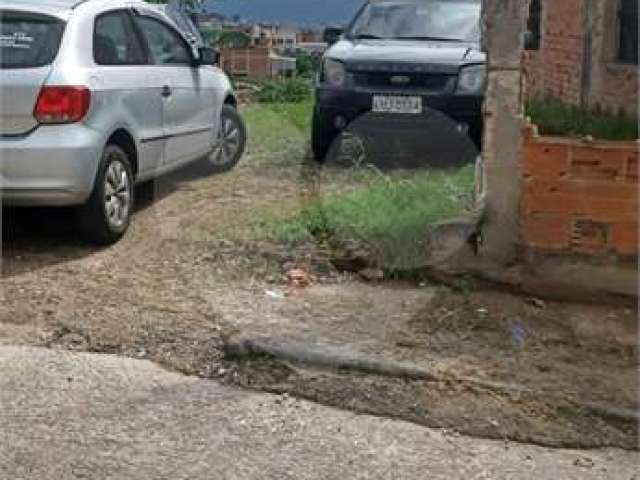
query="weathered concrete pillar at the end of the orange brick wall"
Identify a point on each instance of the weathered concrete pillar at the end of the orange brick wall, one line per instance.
(504, 26)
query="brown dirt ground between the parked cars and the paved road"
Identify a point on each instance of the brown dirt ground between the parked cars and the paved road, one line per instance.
(190, 273)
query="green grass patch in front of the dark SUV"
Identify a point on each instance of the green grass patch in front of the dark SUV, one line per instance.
(385, 210)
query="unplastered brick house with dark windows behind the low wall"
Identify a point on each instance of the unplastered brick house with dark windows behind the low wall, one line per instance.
(584, 52)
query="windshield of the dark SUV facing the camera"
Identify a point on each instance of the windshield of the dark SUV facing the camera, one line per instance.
(445, 20)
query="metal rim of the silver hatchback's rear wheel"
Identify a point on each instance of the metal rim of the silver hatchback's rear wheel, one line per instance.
(117, 194)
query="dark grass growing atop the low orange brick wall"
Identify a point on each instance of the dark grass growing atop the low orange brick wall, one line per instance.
(556, 118)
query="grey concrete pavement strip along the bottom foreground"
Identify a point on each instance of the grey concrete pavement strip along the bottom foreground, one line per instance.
(71, 416)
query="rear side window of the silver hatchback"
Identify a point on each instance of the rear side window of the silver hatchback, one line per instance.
(115, 41)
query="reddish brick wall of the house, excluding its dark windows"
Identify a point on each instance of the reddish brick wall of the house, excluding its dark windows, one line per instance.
(557, 68)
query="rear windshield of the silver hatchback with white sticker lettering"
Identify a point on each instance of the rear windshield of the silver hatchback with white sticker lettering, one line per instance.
(28, 40)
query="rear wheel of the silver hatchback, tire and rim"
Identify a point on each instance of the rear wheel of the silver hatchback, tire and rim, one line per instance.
(105, 217)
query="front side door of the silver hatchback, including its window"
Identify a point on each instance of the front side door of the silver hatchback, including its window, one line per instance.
(188, 117)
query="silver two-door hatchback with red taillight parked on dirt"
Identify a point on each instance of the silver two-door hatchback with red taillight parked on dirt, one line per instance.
(97, 95)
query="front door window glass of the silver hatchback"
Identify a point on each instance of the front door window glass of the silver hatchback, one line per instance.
(166, 45)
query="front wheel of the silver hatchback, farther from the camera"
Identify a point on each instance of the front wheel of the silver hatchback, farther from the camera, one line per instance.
(232, 140)
